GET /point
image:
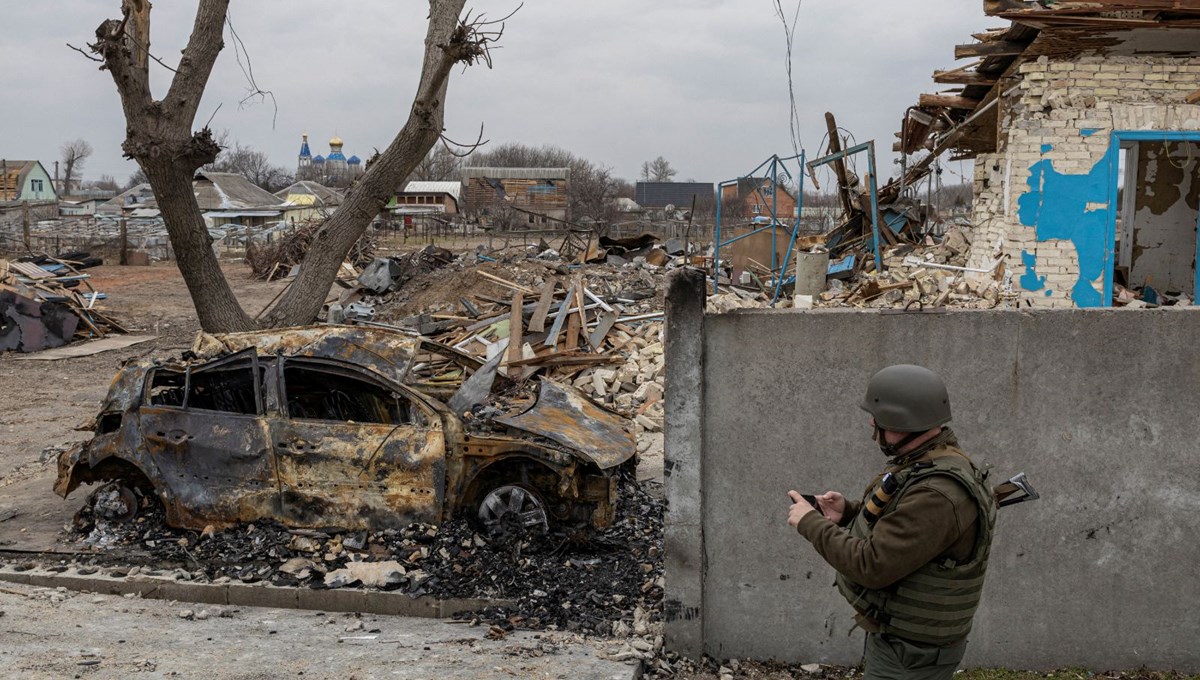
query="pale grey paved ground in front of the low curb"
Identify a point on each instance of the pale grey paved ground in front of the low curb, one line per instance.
(47, 634)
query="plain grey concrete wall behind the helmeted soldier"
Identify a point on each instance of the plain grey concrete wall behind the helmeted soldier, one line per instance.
(1099, 407)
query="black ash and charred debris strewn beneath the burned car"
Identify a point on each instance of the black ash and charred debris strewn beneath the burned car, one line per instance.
(602, 582)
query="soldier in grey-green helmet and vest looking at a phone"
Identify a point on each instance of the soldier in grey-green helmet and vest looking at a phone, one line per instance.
(911, 556)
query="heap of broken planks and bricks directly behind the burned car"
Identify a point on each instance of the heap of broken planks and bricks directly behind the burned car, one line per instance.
(598, 327)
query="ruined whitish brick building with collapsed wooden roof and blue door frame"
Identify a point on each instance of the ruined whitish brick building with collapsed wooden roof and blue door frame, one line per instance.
(1084, 124)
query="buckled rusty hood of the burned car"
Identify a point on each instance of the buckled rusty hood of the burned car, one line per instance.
(565, 416)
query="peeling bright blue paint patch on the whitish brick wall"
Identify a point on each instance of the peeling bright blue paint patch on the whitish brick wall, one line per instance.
(1057, 207)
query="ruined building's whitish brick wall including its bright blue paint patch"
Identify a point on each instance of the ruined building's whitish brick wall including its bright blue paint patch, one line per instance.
(1045, 197)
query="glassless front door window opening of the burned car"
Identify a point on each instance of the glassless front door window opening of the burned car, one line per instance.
(316, 394)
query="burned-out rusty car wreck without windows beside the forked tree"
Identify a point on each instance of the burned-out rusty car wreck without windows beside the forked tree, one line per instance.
(347, 428)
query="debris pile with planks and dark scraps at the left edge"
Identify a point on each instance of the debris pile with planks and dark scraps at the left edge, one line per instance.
(47, 303)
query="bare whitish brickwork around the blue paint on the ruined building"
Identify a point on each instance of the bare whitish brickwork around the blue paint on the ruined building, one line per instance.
(1057, 103)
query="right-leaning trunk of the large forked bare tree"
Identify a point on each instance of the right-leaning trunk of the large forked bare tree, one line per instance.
(445, 45)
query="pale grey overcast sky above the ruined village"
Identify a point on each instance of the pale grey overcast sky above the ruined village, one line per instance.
(619, 82)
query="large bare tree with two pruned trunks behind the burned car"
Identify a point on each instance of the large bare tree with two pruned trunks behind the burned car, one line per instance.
(160, 139)
